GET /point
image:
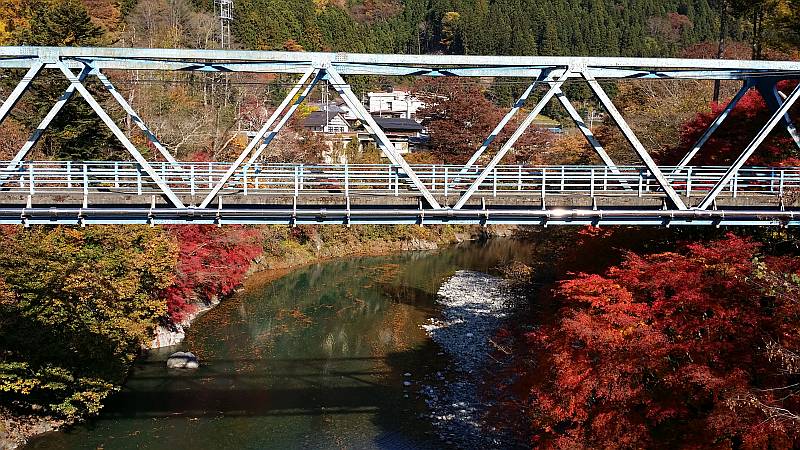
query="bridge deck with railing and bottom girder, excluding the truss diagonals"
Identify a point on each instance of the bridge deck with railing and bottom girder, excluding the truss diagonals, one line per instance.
(48, 192)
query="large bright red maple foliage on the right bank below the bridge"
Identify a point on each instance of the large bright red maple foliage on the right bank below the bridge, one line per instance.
(668, 350)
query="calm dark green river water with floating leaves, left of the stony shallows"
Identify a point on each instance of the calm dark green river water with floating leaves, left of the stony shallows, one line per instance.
(314, 359)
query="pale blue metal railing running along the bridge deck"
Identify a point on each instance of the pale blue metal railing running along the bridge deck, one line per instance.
(198, 178)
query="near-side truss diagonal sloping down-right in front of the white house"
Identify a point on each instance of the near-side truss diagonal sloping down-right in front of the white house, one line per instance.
(386, 145)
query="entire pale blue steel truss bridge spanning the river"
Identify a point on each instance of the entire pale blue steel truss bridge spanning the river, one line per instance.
(248, 191)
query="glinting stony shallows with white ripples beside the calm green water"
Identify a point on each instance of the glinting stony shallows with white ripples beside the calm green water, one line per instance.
(474, 306)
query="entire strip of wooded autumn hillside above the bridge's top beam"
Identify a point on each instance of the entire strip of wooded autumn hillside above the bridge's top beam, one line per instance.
(512, 27)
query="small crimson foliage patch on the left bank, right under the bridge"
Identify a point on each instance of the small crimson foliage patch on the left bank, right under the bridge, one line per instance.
(212, 262)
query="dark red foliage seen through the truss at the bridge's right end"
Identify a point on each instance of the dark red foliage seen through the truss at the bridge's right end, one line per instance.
(739, 129)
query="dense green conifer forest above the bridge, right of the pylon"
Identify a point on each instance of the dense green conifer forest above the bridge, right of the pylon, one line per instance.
(512, 27)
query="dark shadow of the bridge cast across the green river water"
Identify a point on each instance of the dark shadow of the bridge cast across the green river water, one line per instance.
(315, 388)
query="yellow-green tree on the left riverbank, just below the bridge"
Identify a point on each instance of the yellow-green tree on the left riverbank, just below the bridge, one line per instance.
(75, 307)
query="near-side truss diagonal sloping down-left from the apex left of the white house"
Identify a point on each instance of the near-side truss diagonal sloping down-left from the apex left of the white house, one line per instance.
(262, 134)
